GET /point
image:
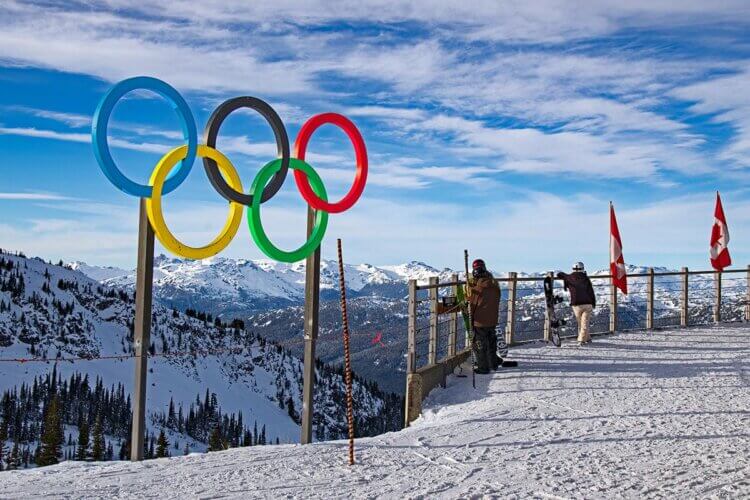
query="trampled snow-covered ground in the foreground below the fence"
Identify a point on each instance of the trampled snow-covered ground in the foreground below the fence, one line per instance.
(636, 415)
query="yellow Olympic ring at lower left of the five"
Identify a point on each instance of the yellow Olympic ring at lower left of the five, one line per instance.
(156, 216)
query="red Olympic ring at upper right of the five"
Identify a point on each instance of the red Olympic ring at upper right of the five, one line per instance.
(360, 152)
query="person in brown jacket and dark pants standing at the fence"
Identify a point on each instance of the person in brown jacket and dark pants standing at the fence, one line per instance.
(484, 300)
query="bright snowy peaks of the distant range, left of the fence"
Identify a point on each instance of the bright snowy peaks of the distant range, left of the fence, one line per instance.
(238, 287)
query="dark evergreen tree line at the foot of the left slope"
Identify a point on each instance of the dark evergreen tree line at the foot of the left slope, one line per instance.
(37, 418)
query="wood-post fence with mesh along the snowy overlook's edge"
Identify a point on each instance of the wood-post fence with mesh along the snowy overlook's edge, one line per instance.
(655, 300)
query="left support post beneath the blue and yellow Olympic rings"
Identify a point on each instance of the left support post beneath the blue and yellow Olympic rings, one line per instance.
(142, 331)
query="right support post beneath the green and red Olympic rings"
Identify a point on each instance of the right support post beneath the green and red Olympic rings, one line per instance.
(312, 310)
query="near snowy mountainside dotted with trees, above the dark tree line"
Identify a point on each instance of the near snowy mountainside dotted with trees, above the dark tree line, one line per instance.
(56, 317)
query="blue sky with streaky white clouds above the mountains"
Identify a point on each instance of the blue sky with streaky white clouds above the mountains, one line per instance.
(502, 127)
